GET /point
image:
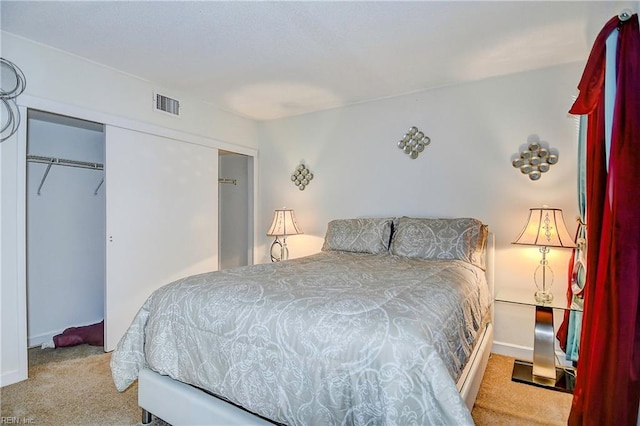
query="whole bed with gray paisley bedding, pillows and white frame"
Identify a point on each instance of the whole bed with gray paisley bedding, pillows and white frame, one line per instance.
(391, 323)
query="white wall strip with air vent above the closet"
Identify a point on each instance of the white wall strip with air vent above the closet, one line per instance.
(66, 78)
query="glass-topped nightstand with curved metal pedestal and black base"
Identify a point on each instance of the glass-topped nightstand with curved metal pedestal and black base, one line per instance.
(542, 371)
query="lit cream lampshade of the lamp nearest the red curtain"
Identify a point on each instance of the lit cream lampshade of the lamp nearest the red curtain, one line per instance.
(545, 228)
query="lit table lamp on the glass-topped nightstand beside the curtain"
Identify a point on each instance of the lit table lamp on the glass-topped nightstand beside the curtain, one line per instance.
(545, 228)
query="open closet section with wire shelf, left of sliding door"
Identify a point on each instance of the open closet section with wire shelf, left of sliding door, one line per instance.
(65, 206)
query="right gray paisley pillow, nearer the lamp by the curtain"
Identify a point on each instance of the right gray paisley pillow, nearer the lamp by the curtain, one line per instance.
(459, 238)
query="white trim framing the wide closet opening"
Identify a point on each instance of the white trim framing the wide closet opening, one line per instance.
(17, 269)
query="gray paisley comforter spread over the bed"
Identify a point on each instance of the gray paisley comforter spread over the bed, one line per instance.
(333, 338)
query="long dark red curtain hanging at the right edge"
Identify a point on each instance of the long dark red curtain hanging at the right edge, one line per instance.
(607, 388)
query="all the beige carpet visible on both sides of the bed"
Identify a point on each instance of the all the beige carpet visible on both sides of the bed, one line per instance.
(73, 386)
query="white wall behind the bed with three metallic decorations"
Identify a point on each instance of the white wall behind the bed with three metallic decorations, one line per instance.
(475, 129)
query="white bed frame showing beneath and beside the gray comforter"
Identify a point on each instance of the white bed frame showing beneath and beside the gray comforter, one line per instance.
(180, 404)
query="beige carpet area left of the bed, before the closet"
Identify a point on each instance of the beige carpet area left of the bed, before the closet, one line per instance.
(69, 386)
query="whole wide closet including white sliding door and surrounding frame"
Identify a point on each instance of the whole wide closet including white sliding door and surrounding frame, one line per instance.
(86, 249)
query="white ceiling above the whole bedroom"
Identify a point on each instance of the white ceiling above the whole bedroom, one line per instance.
(266, 60)
